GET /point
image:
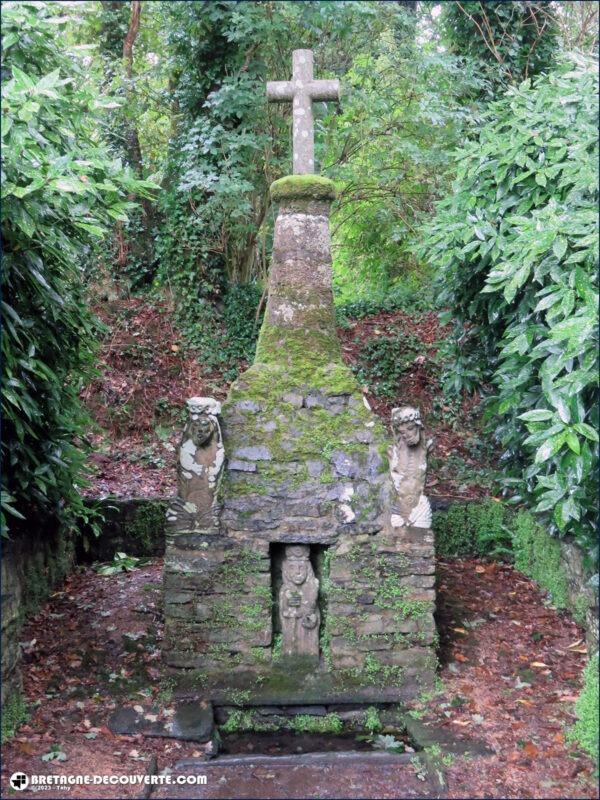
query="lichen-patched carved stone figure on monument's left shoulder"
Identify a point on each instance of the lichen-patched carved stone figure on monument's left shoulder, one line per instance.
(199, 466)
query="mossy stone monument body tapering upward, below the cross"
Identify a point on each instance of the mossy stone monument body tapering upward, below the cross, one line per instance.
(306, 464)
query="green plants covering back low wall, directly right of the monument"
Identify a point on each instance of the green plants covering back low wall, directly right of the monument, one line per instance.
(473, 529)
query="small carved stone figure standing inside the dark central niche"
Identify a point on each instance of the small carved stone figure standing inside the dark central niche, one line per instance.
(298, 604)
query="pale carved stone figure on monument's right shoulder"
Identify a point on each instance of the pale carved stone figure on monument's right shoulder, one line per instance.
(408, 468)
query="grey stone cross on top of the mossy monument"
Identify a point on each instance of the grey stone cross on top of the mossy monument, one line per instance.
(302, 90)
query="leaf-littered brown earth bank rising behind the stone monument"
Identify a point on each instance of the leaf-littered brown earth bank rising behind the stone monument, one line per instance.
(146, 373)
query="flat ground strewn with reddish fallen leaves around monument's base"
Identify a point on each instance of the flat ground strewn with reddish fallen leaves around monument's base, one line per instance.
(510, 669)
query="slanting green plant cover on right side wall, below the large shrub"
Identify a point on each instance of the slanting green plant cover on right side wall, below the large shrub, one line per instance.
(538, 556)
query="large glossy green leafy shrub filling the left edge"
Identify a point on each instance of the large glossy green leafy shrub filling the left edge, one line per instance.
(61, 191)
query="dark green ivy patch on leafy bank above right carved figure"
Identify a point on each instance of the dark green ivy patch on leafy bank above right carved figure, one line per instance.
(383, 360)
